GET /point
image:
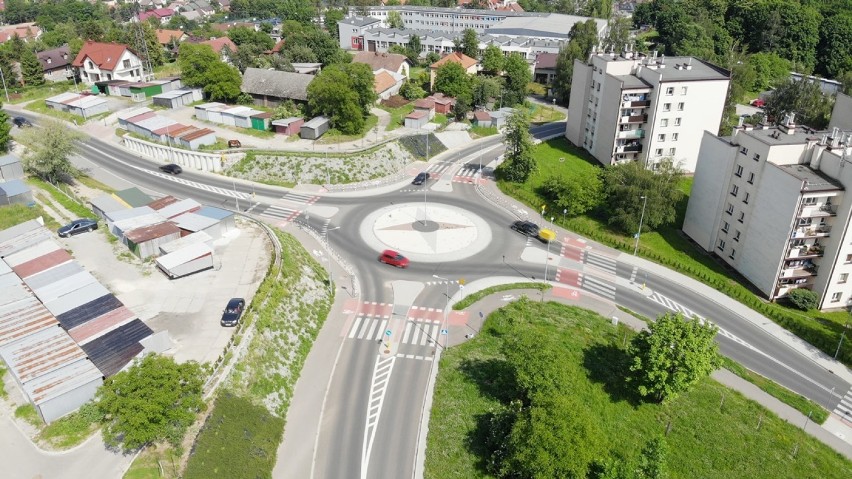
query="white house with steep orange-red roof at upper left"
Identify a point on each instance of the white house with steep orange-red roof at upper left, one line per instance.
(98, 61)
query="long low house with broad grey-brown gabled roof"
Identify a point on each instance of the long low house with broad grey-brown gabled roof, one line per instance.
(270, 87)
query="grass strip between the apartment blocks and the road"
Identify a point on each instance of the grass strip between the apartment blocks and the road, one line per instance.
(668, 246)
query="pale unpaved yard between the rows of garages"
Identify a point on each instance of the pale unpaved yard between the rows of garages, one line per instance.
(188, 308)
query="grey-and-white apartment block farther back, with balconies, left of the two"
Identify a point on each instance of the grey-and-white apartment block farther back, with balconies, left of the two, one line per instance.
(637, 108)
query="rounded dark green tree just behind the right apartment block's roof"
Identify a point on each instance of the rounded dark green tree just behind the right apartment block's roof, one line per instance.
(803, 98)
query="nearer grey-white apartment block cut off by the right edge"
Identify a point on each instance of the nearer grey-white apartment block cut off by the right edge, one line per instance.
(773, 204)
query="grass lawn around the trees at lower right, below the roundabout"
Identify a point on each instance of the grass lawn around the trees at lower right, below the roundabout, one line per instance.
(713, 432)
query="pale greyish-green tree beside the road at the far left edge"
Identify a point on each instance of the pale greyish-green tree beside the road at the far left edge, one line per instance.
(49, 149)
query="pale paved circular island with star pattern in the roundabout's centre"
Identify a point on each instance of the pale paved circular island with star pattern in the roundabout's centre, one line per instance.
(430, 232)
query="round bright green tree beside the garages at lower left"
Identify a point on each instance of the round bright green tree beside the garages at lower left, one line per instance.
(155, 399)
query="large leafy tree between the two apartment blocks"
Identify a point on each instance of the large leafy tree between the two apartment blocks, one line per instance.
(626, 184)
